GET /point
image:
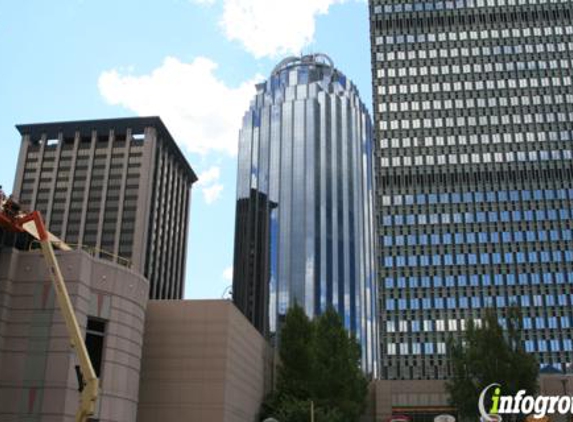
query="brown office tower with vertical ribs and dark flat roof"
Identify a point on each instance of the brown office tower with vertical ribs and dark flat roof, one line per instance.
(120, 187)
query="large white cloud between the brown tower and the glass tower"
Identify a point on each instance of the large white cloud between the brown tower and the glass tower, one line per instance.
(200, 110)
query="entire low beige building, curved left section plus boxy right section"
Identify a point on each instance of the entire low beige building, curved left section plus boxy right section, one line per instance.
(202, 360)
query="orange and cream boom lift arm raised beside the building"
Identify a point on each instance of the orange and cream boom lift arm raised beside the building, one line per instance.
(14, 219)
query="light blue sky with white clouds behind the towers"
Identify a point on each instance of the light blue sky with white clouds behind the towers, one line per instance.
(194, 63)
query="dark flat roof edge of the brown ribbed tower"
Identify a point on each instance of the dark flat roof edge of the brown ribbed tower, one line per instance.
(137, 124)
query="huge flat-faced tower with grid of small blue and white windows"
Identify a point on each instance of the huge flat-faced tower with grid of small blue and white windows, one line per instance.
(474, 125)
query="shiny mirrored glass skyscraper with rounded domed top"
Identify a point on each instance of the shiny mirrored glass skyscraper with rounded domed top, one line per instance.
(304, 230)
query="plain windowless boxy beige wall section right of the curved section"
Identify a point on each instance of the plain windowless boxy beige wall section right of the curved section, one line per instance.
(202, 362)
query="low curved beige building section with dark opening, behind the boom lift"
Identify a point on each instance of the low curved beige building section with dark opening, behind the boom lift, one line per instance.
(37, 366)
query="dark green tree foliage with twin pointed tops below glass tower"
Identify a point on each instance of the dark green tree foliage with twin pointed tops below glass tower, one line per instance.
(320, 362)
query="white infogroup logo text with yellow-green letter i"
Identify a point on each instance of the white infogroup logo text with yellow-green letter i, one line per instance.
(539, 406)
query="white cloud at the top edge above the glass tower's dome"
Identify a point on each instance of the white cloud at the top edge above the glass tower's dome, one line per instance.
(273, 27)
